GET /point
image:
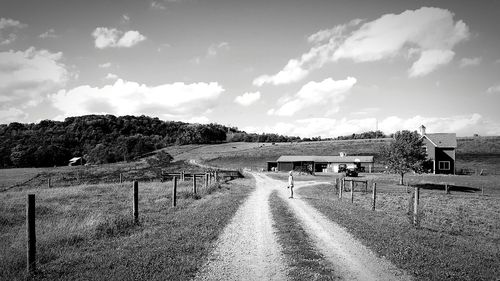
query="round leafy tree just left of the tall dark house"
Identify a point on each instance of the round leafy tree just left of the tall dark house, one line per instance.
(405, 154)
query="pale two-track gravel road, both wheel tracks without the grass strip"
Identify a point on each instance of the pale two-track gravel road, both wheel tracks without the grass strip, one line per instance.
(248, 250)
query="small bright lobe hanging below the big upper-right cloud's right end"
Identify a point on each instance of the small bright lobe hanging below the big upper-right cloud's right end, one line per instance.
(429, 60)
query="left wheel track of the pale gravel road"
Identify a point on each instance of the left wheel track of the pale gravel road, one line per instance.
(248, 248)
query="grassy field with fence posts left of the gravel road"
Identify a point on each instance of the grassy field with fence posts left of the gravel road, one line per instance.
(88, 232)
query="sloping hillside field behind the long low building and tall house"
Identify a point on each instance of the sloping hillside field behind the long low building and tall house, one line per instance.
(476, 154)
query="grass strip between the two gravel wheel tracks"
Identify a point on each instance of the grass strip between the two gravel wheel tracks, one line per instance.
(304, 260)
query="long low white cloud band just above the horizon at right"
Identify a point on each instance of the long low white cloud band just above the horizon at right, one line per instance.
(331, 127)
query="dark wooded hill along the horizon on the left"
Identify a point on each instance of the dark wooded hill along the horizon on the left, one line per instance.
(107, 139)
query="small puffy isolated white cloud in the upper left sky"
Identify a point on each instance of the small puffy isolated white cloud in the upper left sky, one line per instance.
(114, 38)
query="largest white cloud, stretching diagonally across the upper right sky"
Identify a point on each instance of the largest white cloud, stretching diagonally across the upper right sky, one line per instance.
(429, 33)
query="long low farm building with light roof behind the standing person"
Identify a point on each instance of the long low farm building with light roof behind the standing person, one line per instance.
(320, 164)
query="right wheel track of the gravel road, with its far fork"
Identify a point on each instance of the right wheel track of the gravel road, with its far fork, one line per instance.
(351, 259)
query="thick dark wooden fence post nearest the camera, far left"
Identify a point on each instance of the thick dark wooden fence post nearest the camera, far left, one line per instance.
(31, 235)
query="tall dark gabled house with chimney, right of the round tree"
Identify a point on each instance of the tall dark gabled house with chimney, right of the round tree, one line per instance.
(440, 151)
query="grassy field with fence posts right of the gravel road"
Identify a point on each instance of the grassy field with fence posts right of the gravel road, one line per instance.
(459, 237)
